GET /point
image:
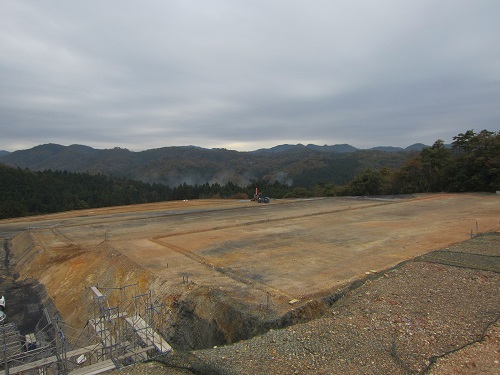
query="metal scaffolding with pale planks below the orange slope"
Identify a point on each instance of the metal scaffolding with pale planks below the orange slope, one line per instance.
(124, 328)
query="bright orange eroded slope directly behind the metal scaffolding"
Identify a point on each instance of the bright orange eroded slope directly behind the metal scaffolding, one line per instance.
(67, 271)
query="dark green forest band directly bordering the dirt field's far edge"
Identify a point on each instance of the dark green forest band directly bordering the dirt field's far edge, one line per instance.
(472, 163)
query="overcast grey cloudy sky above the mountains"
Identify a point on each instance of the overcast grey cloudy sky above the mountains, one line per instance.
(246, 74)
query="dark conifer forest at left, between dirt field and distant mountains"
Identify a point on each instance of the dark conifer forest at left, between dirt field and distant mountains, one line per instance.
(24, 192)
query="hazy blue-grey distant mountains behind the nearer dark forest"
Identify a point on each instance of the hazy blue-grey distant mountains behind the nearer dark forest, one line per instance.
(304, 165)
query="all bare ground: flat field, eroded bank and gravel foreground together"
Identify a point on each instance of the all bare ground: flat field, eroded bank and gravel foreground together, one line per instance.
(405, 284)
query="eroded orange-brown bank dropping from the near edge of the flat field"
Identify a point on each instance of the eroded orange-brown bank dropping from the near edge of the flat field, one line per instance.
(200, 316)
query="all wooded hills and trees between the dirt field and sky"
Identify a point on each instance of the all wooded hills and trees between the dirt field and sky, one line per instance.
(471, 164)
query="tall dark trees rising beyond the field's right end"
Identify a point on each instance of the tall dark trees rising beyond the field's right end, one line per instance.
(471, 164)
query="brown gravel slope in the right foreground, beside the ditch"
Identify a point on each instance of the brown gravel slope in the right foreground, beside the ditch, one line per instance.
(423, 316)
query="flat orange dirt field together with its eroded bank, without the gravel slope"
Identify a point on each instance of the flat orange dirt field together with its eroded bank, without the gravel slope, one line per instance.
(231, 270)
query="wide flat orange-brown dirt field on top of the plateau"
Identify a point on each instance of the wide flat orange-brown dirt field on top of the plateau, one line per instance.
(287, 249)
